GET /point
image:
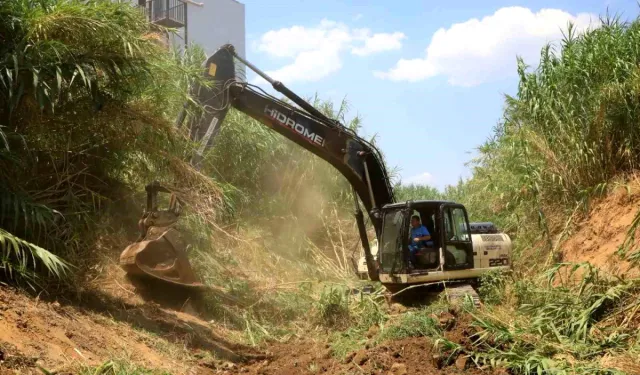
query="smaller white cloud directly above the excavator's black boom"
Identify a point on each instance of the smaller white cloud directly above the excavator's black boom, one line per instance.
(317, 51)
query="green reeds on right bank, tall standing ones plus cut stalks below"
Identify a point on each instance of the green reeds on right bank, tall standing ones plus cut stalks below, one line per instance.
(565, 138)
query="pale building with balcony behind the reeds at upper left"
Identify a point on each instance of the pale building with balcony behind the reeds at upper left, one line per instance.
(208, 23)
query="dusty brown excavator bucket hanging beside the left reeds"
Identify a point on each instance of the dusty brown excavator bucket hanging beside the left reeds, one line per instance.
(160, 251)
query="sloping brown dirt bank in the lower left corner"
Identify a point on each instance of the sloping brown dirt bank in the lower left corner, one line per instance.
(61, 335)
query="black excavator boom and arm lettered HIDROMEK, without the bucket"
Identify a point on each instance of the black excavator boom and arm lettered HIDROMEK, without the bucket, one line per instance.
(357, 159)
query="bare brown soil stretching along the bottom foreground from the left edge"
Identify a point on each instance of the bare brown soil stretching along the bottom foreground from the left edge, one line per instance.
(121, 321)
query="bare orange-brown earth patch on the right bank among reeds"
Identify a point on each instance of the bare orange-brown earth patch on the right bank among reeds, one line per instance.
(598, 235)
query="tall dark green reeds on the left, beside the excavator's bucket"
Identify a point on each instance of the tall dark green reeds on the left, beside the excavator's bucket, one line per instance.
(86, 91)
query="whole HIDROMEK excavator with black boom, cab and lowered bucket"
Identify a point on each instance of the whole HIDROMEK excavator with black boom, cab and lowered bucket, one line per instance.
(459, 254)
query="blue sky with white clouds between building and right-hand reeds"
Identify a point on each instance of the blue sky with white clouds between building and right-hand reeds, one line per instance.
(428, 77)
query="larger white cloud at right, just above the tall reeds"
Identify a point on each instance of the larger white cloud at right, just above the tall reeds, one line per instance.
(477, 51)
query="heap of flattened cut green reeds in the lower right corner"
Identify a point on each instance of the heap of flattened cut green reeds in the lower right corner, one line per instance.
(564, 328)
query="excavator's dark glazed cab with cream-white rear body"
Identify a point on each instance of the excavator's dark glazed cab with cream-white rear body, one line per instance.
(460, 250)
